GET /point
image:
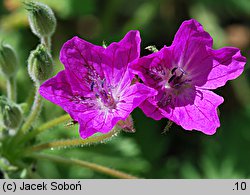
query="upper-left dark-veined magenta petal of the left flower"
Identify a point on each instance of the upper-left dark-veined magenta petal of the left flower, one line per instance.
(81, 58)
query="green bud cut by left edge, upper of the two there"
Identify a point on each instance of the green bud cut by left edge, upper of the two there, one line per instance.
(8, 60)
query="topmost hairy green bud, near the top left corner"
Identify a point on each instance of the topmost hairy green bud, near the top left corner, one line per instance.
(41, 19)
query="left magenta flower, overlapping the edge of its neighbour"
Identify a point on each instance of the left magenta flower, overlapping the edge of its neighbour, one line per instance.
(95, 87)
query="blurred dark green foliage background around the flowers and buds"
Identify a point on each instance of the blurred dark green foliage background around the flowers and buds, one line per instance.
(147, 153)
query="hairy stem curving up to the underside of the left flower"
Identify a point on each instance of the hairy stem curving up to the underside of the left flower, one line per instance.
(75, 142)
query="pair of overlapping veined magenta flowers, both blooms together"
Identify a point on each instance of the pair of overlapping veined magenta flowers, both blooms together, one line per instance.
(96, 87)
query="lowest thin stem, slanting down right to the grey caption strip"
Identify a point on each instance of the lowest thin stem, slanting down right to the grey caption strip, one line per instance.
(81, 163)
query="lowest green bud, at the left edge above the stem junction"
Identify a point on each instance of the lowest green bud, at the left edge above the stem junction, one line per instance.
(11, 113)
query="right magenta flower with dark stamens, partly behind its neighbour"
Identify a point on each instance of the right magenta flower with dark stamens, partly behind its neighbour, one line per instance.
(184, 75)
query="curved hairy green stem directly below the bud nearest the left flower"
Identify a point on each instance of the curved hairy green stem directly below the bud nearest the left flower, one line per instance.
(35, 111)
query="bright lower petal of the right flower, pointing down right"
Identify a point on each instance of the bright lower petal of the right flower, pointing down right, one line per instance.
(201, 114)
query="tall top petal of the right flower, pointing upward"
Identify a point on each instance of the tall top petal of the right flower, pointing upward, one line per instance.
(189, 51)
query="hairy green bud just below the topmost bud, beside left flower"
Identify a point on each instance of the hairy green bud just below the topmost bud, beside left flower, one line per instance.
(40, 64)
